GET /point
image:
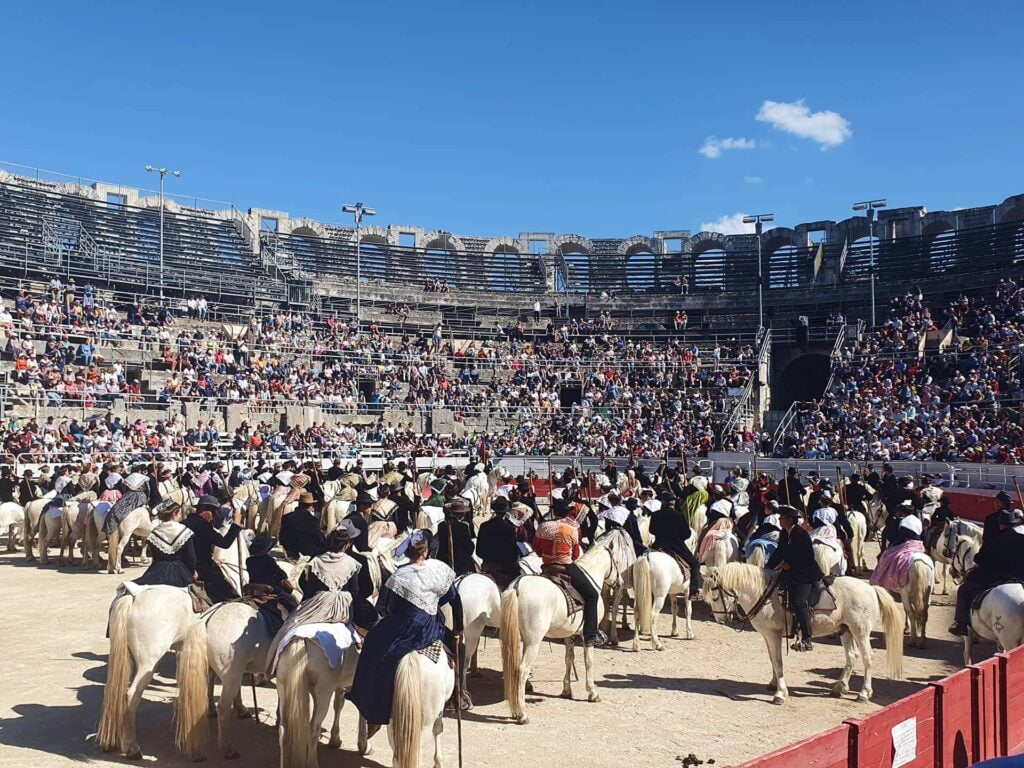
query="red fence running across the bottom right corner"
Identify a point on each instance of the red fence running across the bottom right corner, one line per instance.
(976, 714)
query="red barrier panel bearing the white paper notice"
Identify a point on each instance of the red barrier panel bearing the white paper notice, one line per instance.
(871, 738)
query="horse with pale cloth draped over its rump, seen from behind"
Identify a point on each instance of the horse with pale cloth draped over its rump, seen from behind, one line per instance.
(305, 673)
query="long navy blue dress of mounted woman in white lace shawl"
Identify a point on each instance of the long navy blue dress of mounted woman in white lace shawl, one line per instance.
(406, 628)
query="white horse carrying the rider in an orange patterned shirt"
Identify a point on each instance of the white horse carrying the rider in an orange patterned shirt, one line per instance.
(534, 609)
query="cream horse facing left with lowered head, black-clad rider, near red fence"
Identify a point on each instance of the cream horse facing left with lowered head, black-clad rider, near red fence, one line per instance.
(740, 587)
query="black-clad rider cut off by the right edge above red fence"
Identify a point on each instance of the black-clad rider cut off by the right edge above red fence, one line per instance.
(1001, 560)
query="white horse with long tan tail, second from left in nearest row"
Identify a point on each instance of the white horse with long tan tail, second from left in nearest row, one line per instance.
(230, 639)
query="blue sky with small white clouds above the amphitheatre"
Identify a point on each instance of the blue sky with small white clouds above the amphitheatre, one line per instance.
(496, 118)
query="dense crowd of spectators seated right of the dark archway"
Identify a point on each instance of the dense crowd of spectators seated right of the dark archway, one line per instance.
(895, 398)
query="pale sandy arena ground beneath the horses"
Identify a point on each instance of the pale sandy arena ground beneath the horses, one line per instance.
(705, 697)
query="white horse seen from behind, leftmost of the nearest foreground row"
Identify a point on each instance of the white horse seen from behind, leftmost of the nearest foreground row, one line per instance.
(143, 629)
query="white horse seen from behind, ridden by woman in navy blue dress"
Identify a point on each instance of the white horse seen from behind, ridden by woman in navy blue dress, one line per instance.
(421, 689)
